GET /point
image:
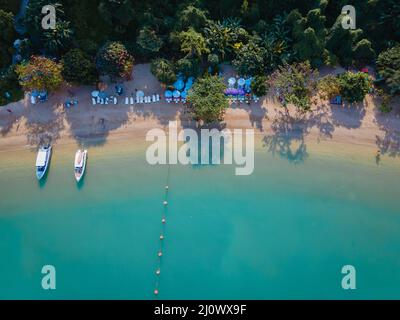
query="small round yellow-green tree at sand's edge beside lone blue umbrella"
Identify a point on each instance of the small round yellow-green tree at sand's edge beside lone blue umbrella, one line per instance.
(355, 86)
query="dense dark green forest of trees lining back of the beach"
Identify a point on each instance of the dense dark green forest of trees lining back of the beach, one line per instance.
(277, 43)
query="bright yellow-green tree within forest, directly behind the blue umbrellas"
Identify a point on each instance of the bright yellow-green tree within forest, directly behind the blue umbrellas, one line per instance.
(193, 44)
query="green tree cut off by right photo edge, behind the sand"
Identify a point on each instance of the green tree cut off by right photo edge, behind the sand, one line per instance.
(388, 64)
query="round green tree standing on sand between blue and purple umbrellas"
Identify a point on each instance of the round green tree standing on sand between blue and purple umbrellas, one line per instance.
(207, 99)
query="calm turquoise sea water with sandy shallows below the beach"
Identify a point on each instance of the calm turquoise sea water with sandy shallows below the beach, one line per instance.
(283, 232)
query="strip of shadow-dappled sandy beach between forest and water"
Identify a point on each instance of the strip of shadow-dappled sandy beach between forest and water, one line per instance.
(30, 125)
